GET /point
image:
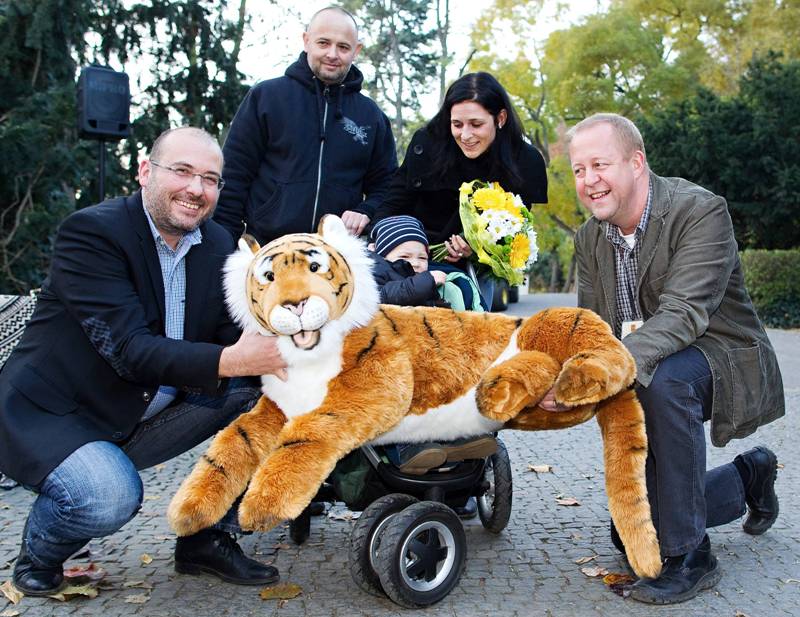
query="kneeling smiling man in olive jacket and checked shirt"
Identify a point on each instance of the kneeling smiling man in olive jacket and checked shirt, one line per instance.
(658, 261)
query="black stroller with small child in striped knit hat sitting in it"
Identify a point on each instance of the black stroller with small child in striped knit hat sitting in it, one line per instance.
(408, 542)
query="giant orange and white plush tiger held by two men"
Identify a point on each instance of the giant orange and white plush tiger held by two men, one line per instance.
(361, 372)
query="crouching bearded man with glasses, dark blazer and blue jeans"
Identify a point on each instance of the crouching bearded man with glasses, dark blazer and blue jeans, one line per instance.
(122, 365)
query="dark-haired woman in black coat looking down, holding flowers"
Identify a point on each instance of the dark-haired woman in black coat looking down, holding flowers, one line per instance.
(476, 135)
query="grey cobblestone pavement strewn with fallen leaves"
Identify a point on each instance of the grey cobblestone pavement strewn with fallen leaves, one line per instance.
(528, 570)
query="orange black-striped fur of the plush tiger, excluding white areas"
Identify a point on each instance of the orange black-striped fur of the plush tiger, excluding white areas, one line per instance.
(406, 362)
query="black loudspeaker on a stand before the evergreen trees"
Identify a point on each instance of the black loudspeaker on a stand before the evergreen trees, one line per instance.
(104, 100)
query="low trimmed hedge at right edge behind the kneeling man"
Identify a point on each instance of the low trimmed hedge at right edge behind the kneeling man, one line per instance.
(773, 280)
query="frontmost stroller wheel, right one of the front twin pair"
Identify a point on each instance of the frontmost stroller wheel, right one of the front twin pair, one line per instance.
(421, 554)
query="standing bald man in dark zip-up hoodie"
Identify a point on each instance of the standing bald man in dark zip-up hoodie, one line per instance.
(308, 143)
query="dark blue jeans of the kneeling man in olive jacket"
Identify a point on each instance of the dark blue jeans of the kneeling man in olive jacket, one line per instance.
(685, 499)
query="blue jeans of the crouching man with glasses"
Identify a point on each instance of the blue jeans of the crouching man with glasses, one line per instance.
(97, 488)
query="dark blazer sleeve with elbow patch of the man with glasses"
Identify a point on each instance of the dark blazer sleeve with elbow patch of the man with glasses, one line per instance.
(90, 275)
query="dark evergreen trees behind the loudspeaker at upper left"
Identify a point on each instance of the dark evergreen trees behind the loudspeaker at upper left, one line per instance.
(191, 50)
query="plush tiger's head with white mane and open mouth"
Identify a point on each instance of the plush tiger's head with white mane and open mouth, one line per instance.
(302, 286)
